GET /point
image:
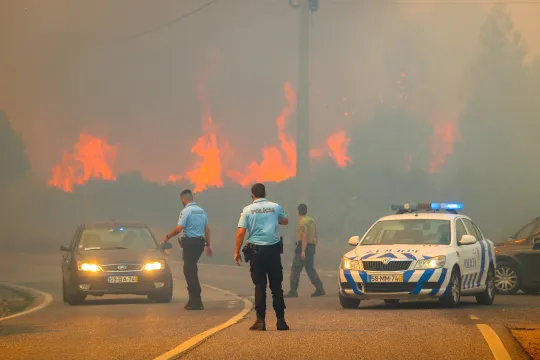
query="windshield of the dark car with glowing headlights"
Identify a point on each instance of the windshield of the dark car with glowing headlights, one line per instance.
(125, 238)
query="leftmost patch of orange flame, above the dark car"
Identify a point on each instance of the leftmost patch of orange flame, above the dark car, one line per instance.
(92, 157)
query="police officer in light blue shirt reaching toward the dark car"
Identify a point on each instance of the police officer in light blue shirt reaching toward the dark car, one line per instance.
(194, 223)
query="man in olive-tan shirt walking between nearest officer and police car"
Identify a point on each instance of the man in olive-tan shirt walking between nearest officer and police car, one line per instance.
(304, 254)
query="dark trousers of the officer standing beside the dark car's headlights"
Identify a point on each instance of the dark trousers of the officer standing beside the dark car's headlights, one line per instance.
(191, 253)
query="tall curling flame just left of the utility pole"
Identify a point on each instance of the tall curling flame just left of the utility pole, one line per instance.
(279, 163)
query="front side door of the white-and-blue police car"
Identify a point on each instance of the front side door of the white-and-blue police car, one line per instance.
(471, 257)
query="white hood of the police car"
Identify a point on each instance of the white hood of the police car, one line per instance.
(412, 252)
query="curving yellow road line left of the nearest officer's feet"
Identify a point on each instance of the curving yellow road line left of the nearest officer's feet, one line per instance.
(197, 339)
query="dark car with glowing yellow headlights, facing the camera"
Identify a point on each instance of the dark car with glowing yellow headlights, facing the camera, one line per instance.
(115, 258)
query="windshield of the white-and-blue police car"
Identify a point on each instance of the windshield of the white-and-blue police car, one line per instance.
(409, 231)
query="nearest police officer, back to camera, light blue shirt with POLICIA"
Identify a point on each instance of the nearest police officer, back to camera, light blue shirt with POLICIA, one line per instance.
(261, 219)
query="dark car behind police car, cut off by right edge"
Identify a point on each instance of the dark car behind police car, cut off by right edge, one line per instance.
(518, 261)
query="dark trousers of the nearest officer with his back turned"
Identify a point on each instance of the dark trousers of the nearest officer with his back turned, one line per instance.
(266, 269)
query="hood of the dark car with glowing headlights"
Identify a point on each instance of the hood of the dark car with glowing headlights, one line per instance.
(103, 257)
